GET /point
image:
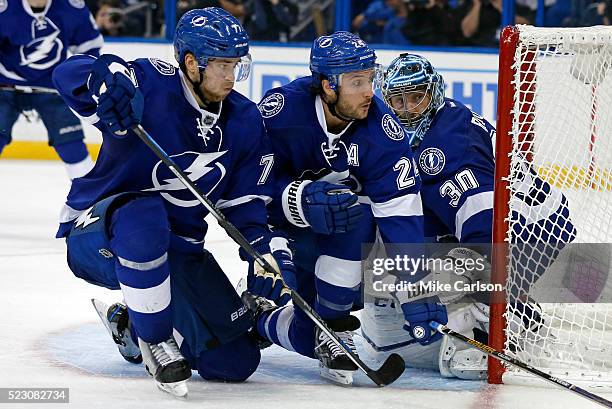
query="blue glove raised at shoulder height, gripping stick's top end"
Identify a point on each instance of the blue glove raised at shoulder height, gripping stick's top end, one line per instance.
(120, 102)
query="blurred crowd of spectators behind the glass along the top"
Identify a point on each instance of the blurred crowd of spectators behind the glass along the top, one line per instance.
(399, 22)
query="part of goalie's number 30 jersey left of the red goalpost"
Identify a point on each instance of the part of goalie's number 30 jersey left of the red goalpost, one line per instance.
(457, 167)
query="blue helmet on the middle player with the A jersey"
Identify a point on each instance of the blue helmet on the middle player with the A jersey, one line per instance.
(341, 52)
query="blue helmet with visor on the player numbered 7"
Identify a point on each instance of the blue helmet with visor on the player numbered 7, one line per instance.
(212, 33)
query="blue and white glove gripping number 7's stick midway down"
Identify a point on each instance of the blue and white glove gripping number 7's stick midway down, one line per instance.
(273, 285)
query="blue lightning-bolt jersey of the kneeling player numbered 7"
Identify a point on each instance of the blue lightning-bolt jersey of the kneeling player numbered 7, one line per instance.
(228, 155)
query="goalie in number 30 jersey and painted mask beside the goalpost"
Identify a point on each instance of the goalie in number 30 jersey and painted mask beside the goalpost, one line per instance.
(453, 147)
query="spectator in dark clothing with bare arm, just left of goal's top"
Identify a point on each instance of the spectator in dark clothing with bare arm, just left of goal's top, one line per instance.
(481, 21)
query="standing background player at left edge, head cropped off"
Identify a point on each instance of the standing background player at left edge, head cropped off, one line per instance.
(35, 37)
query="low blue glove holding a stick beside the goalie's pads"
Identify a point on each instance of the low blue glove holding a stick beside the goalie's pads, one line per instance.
(419, 314)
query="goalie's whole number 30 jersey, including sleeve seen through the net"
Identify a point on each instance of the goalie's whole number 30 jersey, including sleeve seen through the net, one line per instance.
(457, 165)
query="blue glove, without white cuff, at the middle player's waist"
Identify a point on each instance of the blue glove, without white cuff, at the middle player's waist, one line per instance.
(330, 208)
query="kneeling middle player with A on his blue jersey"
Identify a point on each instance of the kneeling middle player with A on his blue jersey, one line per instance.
(344, 168)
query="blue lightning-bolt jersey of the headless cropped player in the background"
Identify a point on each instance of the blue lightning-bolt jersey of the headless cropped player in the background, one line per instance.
(33, 44)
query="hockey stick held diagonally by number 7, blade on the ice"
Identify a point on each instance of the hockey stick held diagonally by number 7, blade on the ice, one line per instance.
(393, 366)
